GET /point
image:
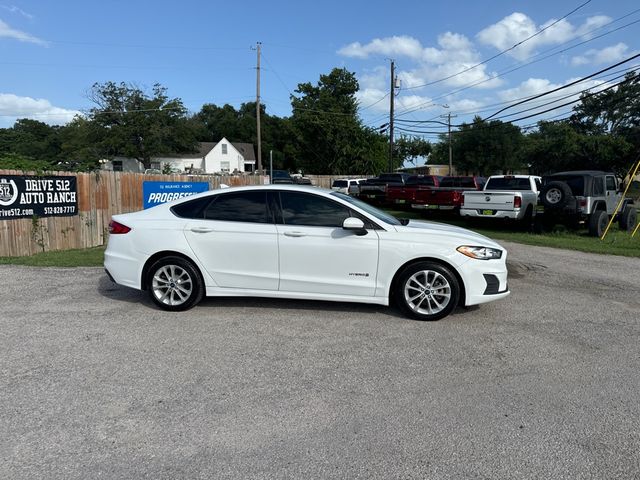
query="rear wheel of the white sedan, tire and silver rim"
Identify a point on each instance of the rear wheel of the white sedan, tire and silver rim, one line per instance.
(174, 284)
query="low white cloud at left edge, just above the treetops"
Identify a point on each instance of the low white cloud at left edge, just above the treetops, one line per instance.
(13, 107)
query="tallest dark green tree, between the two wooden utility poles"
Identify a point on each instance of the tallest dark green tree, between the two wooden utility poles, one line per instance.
(330, 138)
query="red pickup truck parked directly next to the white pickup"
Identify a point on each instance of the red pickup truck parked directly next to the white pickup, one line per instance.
(448, 196)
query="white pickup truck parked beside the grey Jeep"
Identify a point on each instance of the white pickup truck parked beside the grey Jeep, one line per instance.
(504, 196)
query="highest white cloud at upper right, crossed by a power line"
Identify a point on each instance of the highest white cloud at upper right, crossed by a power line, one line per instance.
(517, 27)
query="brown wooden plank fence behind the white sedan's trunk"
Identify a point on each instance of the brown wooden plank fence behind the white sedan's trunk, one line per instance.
(100, 195)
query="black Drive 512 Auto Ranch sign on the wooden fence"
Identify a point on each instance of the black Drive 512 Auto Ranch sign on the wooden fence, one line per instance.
(26, 196)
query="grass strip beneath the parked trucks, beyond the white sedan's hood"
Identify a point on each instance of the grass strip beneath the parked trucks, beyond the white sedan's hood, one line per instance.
(615, 243)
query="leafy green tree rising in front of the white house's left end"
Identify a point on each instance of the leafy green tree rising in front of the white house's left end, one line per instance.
(130, 123)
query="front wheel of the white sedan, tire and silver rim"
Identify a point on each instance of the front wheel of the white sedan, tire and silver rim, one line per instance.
(427, 282)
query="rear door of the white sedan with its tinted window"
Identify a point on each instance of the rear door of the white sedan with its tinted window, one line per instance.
(236, 241)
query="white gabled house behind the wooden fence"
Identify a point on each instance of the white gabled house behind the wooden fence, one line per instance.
(211, 157)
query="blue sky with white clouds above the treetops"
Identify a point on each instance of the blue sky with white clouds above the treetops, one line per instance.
(451, 57)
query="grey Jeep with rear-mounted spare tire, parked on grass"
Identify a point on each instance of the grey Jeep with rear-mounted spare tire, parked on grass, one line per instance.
(584, 198)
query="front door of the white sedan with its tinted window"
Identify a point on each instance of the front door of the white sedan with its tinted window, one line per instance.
(316, 254)
